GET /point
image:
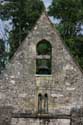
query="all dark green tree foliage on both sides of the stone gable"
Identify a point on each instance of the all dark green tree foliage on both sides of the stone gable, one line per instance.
(24, 14)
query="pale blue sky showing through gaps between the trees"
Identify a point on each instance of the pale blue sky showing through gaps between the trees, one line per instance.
(3, 24)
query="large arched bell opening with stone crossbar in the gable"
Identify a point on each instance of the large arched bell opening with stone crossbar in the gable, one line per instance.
(44, 56)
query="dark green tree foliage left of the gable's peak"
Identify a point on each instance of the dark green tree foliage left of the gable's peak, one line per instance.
(23, 14)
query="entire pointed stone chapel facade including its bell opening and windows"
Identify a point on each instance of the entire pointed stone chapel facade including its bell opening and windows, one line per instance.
(41, 80)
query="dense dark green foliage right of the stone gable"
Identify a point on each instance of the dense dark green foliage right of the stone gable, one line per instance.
(70, 14)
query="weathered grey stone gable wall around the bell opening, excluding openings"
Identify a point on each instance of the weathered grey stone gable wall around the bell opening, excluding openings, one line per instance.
(19, 85)
